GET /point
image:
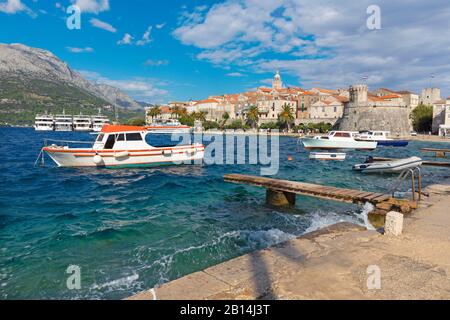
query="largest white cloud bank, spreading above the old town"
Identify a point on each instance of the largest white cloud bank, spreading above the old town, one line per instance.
(326, 43)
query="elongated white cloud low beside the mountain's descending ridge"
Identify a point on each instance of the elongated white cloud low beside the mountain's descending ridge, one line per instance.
(142, 89)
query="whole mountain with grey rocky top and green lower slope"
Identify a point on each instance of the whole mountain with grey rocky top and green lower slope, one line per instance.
(34, 80)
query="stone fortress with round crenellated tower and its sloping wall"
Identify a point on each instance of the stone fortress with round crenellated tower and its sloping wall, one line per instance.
(366, 112)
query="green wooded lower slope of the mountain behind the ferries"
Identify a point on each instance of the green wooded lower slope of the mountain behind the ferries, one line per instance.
(21, 100)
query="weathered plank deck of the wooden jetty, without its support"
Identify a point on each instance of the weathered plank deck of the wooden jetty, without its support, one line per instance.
(308, 189)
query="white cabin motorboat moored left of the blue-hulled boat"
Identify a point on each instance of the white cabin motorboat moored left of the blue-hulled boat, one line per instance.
(337, 140)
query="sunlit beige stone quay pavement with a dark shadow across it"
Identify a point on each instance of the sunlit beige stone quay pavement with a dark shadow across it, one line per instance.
(333, 263)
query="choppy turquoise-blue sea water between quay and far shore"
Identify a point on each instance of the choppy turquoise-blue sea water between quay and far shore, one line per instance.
(132, 229)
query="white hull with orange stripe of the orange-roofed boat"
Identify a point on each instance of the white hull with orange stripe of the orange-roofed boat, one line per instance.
(125, 158)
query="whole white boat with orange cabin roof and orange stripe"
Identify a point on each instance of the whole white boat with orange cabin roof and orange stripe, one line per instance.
(120, 146)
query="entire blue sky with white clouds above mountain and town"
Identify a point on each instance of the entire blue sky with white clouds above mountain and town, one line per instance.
(158, 51)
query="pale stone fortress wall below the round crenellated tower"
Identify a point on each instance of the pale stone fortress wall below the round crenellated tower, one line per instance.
(393, 119)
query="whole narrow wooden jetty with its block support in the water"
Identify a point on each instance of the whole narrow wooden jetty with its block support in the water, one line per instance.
(283, 192)
